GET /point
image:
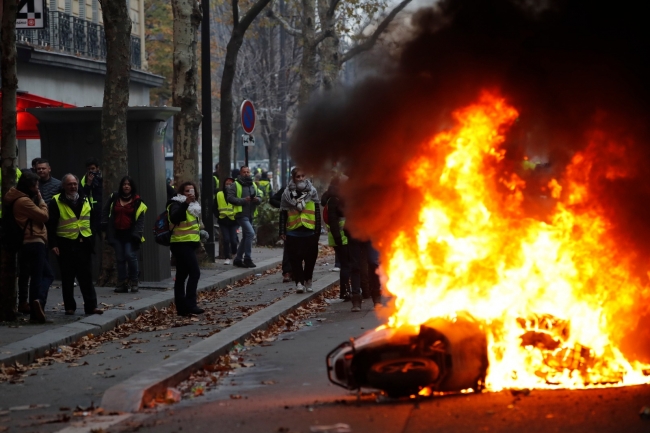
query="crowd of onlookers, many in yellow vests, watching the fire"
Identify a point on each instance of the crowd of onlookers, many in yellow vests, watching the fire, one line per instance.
(65, 217)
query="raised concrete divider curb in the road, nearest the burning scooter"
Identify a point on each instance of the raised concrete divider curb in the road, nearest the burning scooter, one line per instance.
(130, 395)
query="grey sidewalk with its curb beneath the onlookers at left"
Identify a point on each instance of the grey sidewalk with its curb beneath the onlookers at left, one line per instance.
(23, 341)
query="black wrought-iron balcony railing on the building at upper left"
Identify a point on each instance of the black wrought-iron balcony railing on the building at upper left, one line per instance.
(68, 34)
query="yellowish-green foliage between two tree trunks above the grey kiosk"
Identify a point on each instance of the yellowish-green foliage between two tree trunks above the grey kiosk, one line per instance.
(159, 47)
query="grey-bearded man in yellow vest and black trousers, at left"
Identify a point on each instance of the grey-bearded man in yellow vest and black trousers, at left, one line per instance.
(73, 242)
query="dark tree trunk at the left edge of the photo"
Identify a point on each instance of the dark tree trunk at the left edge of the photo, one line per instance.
(8, 152)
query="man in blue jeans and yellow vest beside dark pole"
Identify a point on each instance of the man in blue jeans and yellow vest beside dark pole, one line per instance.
(244, 195)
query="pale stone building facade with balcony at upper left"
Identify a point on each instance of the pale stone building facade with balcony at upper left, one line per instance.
(66, 61)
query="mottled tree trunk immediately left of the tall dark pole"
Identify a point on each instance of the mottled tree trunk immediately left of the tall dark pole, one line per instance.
(187, 18)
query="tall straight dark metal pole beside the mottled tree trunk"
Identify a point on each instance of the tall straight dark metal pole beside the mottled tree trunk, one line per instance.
(207, 198)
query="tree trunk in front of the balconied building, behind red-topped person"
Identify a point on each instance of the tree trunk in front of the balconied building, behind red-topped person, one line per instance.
(117, 26)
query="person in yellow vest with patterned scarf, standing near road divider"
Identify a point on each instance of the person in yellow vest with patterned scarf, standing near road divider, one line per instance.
(300, 226)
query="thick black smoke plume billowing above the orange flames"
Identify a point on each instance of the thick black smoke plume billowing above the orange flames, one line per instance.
(568, 67)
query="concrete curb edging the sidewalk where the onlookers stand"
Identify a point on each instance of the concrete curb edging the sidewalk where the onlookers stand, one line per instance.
(27, 350)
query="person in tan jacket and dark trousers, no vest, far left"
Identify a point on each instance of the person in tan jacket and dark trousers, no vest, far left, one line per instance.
(31, 214)
